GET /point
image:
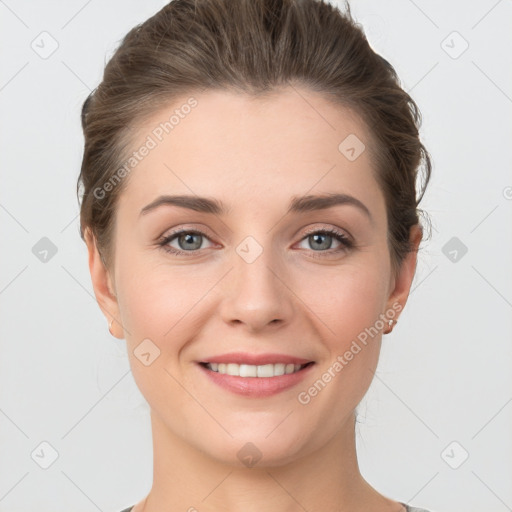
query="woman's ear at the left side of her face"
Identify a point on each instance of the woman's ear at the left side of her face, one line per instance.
(103, 286)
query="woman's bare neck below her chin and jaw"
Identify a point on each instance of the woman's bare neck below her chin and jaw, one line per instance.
(327, 478)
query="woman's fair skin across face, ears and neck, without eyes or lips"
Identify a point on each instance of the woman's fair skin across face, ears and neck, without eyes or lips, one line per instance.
(253, 155)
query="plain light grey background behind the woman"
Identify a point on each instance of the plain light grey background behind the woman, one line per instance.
(443, 389)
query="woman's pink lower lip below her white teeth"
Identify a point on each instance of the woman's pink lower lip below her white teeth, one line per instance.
(256, 386)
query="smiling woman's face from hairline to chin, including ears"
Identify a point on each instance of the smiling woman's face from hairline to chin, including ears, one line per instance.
(267, 281)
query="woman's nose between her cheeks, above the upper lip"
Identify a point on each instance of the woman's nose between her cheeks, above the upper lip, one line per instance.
(256, 293)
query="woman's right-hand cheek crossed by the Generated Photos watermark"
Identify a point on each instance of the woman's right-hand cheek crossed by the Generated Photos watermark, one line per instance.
(348, 305)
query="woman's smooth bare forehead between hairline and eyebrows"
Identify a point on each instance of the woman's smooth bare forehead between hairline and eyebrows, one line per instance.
(241, 148)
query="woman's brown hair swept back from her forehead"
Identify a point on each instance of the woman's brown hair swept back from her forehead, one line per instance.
(254, 47)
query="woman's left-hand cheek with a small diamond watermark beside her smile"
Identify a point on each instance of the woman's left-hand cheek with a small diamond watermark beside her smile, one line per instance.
(156, 307)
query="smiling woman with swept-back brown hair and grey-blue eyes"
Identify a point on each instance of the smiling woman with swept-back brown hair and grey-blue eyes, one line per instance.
(251, 215)
